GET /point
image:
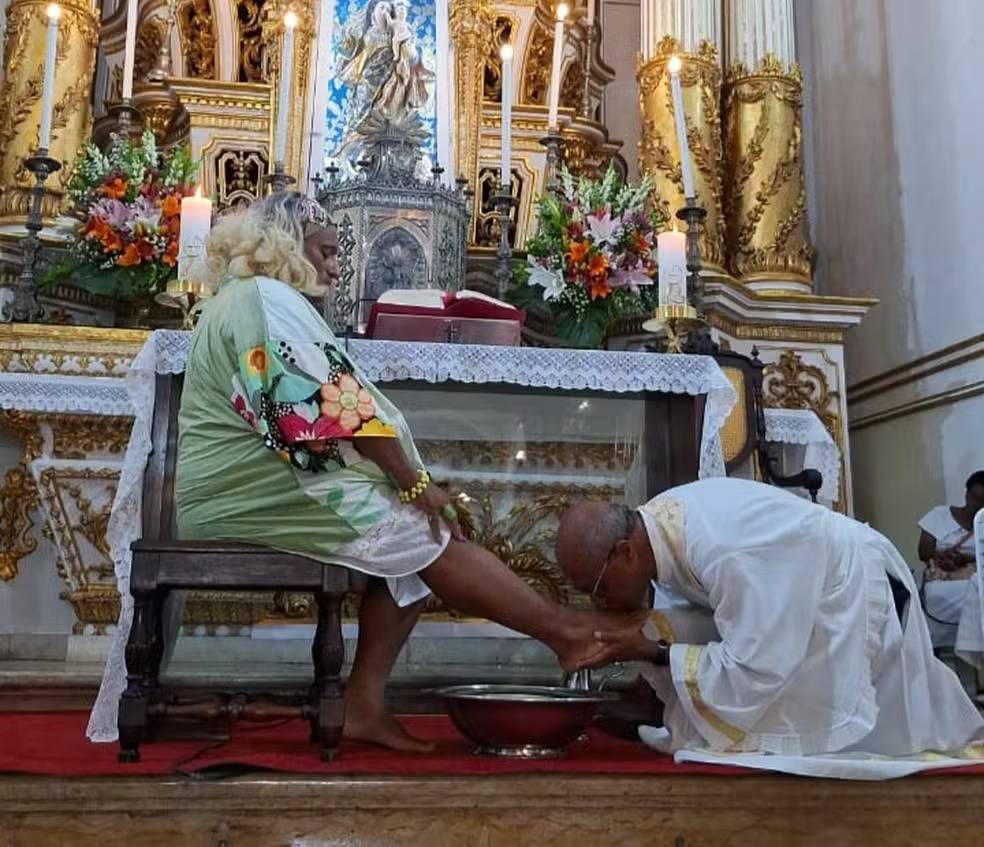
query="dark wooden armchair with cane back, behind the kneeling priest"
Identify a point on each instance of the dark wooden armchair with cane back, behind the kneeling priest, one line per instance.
(743, 435)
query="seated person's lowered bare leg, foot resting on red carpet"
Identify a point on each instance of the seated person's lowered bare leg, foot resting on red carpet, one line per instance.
(383, 630)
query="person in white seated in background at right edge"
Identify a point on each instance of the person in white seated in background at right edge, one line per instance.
(946, 546)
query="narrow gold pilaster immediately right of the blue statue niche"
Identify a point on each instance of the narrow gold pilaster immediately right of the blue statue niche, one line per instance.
(472, 23)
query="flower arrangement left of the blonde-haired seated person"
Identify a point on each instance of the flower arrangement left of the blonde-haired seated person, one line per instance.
(128, 201)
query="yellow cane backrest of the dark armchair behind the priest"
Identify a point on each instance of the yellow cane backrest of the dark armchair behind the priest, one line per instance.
(743, 432)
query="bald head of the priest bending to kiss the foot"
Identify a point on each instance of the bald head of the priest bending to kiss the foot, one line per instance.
(604, 550)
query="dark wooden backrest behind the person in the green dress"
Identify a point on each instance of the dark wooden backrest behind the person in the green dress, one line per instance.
(158, 486)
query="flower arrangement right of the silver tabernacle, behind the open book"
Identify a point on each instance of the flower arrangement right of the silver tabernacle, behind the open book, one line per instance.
(593, 258)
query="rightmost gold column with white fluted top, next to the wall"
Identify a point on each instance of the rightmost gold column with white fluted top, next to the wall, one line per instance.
(767, 239)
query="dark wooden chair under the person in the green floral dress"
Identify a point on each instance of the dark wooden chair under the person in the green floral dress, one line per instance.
(162, 564)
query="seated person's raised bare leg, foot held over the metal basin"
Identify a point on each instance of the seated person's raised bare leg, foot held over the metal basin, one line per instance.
(472, 580)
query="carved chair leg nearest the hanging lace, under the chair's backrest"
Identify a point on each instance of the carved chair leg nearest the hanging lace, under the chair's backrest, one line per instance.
(140, 669)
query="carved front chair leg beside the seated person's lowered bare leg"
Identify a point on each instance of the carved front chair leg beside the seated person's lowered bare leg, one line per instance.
(328, 653)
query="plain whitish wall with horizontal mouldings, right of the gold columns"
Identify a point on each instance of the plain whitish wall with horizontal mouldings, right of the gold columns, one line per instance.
(894, 117)
